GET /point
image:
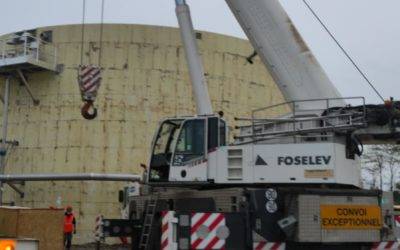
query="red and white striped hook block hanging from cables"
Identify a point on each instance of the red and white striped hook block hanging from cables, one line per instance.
(89, 78)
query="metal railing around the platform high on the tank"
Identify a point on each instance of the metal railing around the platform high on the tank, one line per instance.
(27, 48)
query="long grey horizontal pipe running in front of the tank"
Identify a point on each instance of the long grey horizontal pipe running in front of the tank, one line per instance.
(71, 177)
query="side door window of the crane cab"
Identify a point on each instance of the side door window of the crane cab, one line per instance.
(191, 142)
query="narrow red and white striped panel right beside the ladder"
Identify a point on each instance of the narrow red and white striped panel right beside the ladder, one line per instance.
(167, 231)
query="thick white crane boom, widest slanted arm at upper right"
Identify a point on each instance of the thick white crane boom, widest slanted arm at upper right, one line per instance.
(280, 46)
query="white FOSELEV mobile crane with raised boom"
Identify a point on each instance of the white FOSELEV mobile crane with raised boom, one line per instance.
(287, 182)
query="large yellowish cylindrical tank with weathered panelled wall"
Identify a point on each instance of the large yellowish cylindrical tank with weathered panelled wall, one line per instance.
(145, 79)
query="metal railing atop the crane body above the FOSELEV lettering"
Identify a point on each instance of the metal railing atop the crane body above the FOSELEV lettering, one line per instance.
(319, 118)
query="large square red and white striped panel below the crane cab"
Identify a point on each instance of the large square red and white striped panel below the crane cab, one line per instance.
(203, 231)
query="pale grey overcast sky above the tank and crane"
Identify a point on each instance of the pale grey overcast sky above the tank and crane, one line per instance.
(368, 29)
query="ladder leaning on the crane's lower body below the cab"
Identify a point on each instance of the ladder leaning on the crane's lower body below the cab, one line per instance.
(148, 222)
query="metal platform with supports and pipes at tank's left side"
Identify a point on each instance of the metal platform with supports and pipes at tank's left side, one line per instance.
(21, 53)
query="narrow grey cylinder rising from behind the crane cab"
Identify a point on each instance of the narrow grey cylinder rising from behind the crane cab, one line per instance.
(196, 71)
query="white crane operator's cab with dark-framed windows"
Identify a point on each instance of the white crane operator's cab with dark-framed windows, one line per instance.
(183, 147)
